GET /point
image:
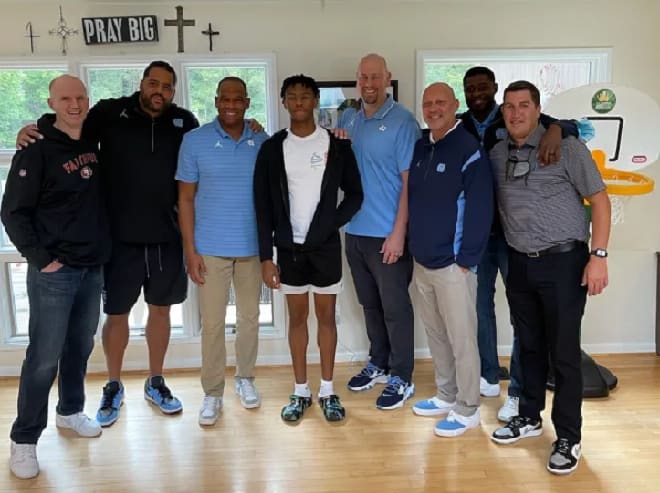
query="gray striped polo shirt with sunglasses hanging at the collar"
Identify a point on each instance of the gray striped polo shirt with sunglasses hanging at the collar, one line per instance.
(544, 208)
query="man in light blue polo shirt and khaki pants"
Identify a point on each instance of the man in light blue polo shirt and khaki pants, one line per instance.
(218, 225)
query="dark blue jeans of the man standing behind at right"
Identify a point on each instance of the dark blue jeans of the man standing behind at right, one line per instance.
(496, 258)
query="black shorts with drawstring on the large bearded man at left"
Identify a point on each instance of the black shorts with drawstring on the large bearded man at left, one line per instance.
(159, 269)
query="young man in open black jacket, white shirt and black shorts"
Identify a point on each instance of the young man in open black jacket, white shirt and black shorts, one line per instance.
(298, 174)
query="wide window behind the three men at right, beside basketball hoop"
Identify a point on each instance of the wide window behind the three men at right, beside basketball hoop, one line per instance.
(552, 71)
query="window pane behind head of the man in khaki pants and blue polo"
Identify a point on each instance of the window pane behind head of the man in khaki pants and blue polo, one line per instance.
(203, 82)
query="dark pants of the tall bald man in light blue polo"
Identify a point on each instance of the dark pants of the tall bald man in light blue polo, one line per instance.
(382, 290)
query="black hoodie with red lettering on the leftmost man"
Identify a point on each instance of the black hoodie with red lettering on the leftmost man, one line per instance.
(53, 207)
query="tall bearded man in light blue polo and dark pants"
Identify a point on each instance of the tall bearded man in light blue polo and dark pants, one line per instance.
(384, 135)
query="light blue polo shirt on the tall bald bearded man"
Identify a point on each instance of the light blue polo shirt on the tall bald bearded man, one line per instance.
(383, 146)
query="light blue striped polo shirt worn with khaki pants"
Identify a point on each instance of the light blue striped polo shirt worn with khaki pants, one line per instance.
(225, 221)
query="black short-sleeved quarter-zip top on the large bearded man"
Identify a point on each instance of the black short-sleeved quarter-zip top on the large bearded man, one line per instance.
(140, 157)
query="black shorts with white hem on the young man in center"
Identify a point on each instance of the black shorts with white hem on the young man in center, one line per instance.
(320, 267)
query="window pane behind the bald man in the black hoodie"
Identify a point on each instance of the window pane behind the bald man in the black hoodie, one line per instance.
(24, 93)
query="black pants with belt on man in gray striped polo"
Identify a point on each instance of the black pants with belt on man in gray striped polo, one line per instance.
(547, 303)
